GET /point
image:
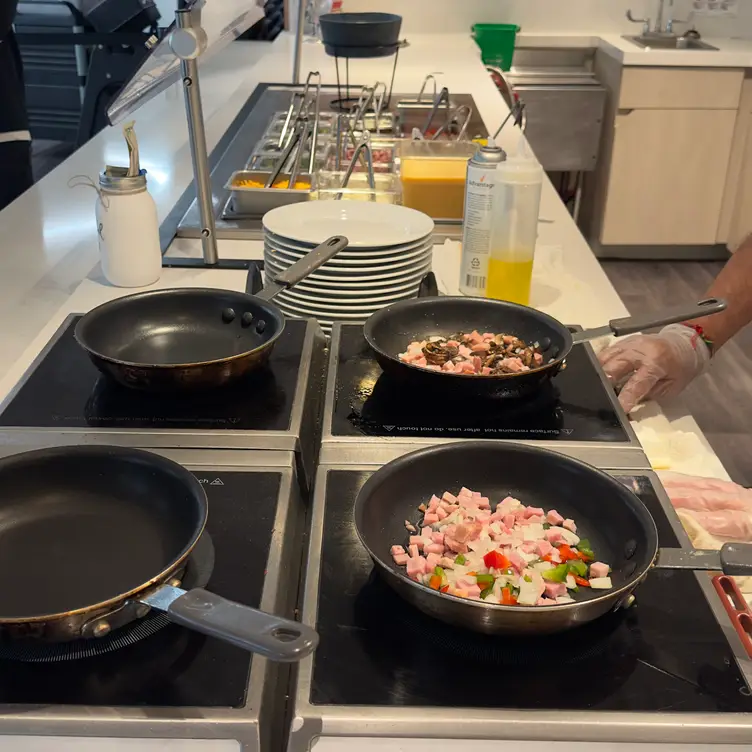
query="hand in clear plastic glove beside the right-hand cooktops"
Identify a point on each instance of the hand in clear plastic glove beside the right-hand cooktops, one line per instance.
(650, 366)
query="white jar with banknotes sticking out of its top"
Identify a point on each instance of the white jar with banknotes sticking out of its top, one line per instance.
(127, 224)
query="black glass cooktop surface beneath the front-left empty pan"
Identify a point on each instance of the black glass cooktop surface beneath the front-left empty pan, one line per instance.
(174, 667)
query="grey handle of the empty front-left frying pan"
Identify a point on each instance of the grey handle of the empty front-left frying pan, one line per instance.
(271, 636)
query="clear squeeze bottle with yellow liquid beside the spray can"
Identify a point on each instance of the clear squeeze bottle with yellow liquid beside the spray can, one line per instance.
(516, 204)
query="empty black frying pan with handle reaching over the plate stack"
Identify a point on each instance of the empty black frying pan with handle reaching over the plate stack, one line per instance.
(191, 338)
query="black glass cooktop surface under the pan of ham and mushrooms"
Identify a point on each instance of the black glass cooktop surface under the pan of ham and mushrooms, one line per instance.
(574, 407)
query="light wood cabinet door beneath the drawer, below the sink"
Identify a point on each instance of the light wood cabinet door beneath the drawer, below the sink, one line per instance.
(667, 177)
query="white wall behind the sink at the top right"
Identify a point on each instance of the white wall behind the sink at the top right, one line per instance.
(543, 15)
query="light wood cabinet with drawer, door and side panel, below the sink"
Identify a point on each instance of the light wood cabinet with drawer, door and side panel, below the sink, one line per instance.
(663, 172)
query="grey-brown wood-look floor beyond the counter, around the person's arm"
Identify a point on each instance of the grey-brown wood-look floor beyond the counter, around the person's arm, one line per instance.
(720, 400)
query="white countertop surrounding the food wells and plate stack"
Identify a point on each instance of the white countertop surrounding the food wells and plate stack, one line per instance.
(49, 235)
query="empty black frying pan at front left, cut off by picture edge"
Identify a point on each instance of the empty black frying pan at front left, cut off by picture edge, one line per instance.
(90, 540)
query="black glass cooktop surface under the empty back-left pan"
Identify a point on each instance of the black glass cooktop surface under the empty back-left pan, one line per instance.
(65, 390)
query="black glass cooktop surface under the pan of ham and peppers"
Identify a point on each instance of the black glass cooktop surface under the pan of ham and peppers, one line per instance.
(667, 652)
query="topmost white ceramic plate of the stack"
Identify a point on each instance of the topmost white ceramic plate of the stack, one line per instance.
(366, 225)
